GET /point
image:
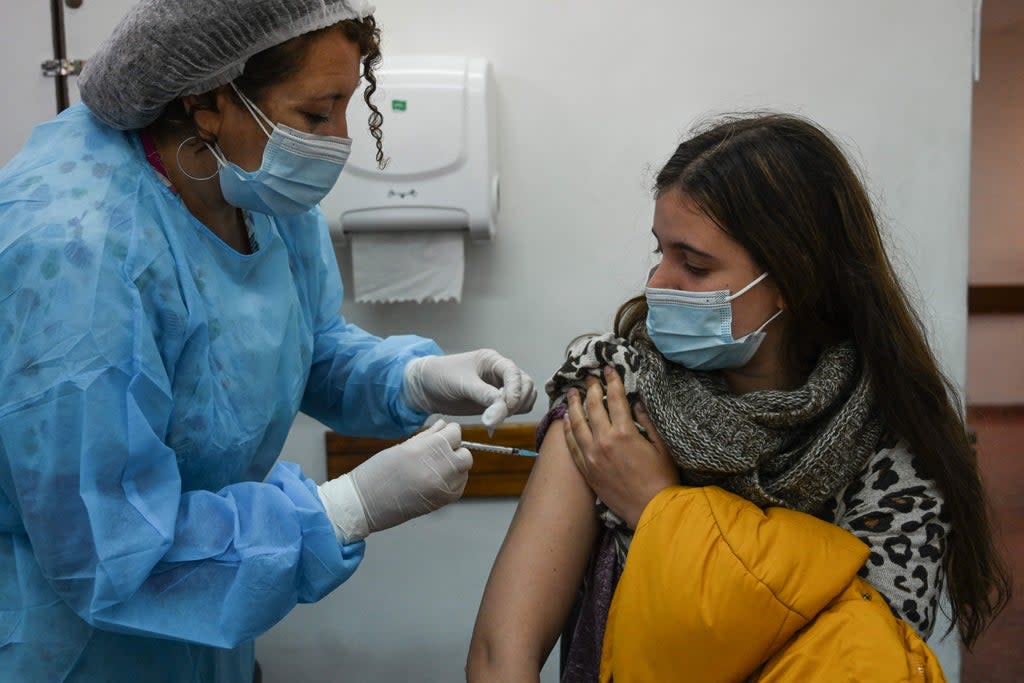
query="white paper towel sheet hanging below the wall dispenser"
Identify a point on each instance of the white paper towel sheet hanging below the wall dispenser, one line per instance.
(408, 267)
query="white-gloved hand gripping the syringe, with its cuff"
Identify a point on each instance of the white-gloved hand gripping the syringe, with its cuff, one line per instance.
(417, 477)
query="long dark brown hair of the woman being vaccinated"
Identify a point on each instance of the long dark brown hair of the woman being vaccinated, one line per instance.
(782, 188)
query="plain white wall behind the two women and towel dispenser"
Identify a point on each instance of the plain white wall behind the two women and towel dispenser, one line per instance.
(593, 98)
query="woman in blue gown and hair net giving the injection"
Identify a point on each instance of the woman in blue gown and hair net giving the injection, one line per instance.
(169, 301)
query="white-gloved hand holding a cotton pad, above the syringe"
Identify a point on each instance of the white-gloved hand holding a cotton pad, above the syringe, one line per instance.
(468, 385)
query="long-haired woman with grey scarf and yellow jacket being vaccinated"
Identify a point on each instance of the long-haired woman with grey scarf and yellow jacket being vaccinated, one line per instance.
(783, 479)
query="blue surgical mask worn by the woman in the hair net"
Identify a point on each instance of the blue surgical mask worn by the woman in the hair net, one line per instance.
(298, 169)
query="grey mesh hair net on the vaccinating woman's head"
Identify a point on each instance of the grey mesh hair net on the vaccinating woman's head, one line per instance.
(164, 50)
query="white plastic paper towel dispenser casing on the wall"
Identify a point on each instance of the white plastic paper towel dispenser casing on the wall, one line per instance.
(441, 136)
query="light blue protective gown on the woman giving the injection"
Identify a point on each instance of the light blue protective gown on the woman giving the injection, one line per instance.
(149, 376)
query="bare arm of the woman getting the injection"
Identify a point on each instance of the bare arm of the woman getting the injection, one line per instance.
(538, 570)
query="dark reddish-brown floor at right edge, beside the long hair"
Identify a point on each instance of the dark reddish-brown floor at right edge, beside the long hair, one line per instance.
(999, 656)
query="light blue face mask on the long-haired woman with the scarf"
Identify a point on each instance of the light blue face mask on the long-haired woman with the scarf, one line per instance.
(695, 329)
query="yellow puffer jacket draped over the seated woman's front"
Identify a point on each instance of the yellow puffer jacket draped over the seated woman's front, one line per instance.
(716, 589)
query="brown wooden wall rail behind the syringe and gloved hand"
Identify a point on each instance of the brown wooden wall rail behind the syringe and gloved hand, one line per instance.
(493, 476)
